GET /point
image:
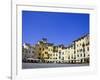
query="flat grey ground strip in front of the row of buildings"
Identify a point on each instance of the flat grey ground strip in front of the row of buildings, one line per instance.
(50, 65)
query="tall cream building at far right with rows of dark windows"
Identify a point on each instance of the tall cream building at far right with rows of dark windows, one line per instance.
(82, 49)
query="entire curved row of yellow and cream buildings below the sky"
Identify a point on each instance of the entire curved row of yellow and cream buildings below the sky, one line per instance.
(76, 52)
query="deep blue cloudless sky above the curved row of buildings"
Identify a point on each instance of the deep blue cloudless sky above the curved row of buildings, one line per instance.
(58, 28)
